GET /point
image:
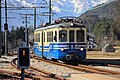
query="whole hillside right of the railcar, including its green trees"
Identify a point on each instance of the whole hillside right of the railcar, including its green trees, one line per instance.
(104, 21)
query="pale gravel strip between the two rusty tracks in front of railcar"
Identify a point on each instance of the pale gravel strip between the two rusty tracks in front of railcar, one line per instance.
(55, 69)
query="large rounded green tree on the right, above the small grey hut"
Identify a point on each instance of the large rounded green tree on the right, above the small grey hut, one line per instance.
(106, 29)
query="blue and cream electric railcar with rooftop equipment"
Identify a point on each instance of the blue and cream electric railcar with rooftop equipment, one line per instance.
(63, 40)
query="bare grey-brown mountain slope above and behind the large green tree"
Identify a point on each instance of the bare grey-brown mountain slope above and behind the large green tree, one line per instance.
(108, 11)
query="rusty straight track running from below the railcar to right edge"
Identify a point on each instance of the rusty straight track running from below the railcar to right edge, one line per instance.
(84, 68)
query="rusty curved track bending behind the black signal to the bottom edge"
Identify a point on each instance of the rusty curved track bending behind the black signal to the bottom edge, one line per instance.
(38, 74)
